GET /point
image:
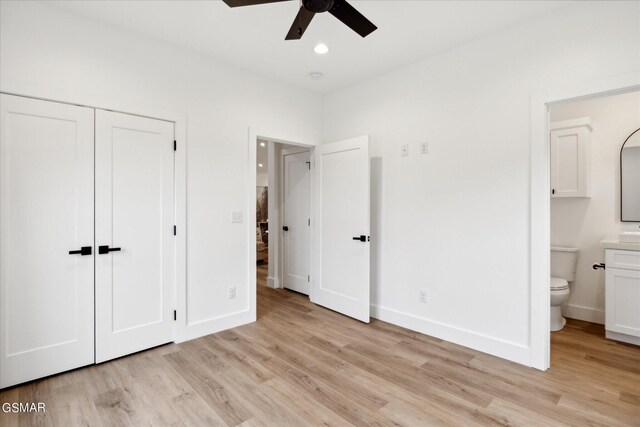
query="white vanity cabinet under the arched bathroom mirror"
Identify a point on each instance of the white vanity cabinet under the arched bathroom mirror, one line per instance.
(622, 295)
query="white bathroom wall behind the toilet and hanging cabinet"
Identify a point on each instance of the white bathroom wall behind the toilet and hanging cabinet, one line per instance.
(584, 222)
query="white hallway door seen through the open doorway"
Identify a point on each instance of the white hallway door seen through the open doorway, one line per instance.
(296, 250)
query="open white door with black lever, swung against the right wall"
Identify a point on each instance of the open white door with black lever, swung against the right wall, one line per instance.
(341, 232)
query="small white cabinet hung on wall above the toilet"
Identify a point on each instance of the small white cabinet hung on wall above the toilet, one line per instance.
(571, 158)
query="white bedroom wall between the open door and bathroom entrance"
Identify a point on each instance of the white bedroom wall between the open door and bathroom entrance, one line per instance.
(456, 221)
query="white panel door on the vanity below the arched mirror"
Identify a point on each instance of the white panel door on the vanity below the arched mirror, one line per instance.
(622, 301)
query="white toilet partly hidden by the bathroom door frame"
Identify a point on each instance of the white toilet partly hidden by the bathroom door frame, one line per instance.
(563, 271)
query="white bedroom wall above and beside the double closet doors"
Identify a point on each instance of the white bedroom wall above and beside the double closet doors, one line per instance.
(44, 50)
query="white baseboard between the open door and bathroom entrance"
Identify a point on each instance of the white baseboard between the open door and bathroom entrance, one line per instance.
(495, 346)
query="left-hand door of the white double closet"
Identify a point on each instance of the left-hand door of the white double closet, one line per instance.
(46, 211)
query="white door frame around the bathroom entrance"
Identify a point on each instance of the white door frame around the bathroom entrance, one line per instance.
(540, 204)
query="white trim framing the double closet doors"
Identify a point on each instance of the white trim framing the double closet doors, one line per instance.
(179, 119)
